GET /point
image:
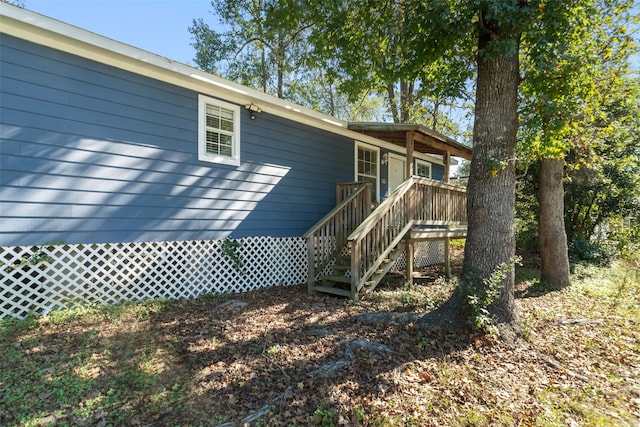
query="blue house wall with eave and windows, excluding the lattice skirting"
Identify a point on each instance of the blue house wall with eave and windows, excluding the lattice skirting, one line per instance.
(102, 142)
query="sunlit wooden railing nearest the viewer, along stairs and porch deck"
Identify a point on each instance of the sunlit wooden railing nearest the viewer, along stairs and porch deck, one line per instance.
(416, 201)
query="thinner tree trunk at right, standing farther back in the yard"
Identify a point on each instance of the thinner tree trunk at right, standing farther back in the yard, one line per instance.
(554, 253)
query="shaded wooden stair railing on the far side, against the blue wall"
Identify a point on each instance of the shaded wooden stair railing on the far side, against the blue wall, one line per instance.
(328, 236)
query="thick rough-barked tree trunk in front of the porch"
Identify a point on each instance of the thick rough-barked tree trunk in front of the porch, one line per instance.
(491, 189)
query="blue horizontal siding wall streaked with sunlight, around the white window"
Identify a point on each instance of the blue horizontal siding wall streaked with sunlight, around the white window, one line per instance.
(91, 153)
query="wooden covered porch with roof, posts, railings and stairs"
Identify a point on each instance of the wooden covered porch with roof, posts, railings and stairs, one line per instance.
(352, 248)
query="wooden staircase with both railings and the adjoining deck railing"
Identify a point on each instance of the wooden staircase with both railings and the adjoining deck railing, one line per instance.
(351, 249)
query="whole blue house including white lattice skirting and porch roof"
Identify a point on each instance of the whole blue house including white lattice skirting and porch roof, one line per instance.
(140, 168)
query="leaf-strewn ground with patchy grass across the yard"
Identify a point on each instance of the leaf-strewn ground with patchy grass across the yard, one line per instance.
(282, 357)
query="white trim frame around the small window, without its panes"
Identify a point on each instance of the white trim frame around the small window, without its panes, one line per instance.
(234, 160)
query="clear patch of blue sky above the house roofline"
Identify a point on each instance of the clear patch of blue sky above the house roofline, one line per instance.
(157, 26)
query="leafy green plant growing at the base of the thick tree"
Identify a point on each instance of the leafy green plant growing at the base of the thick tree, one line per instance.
(479, 293)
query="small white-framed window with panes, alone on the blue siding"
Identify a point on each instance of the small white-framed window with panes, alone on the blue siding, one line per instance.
(218, 131)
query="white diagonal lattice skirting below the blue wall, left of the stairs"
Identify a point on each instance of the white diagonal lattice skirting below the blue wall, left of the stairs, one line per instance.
(37, 280)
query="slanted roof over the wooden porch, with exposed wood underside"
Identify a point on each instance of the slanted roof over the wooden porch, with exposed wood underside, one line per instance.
(424, 140)
